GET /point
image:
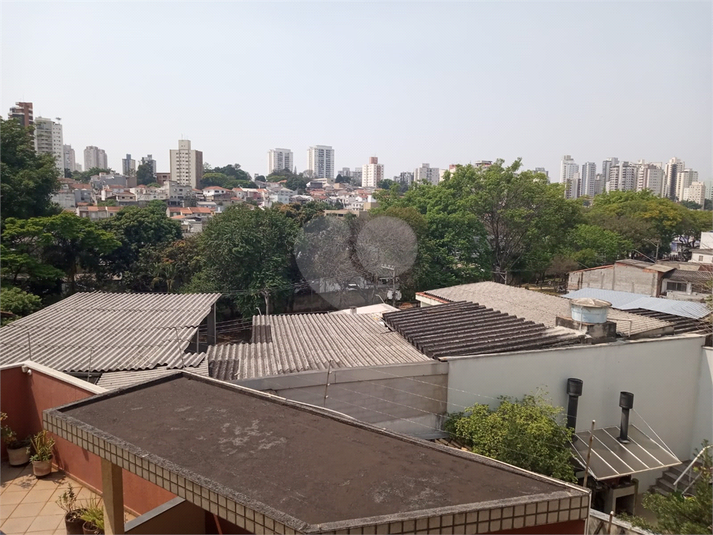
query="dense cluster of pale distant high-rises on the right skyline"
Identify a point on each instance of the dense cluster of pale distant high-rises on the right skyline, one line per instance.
(672, 180)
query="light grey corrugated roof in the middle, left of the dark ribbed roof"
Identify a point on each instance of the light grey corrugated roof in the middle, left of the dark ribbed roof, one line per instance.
(303, 342)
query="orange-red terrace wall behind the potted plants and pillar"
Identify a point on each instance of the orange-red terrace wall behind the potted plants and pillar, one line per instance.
(24, 397)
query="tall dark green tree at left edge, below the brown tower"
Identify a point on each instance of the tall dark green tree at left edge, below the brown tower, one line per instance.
(28, 178)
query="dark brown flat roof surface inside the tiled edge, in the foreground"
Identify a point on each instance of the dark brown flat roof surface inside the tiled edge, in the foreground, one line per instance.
(300, 461)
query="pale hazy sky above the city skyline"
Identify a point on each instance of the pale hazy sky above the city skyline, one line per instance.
(408, 82)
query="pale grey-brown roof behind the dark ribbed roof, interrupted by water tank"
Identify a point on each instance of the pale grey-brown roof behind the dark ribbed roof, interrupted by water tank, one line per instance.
(537, 306)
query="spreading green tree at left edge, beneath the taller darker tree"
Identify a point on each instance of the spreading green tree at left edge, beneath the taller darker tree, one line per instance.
(46, 247)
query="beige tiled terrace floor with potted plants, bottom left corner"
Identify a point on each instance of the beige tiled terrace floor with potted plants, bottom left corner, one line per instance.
(28, 505)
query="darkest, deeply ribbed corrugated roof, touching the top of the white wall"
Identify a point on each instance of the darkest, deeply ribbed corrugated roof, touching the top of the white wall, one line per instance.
(465, 328)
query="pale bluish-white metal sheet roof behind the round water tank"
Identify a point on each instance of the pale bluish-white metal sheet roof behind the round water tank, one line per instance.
(631, 301)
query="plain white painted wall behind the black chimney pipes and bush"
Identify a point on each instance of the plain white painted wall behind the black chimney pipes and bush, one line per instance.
(663, 375)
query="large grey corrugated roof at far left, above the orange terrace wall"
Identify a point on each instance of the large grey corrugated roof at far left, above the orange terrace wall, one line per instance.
(109, 332)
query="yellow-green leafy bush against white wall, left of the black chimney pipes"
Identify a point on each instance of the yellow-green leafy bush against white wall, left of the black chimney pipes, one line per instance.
(527, 433)
